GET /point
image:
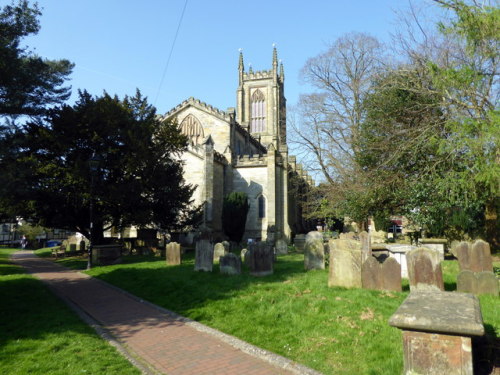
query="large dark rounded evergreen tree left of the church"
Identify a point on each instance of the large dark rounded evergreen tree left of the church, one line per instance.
(138, 181)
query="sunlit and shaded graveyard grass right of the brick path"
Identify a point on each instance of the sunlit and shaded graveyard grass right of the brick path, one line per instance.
(292, 313)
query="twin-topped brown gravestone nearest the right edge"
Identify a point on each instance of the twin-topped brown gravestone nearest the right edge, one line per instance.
(475, 257)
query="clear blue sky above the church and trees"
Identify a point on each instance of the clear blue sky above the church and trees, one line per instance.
(121, 45)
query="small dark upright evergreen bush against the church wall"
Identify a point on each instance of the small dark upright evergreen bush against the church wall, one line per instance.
(234, 215)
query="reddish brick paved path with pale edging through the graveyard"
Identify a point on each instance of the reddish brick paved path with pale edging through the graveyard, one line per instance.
(168, 343)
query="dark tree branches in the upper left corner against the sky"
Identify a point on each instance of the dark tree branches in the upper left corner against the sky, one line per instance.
(28, 83)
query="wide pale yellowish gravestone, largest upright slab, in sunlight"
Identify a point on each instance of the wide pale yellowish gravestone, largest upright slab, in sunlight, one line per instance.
(345, 263)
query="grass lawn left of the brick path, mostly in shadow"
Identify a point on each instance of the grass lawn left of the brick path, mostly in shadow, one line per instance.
(39, 334)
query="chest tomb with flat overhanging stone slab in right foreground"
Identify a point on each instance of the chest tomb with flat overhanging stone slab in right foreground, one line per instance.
(437, 328)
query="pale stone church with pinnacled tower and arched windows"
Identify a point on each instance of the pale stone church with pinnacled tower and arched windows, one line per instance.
(244, 149)
